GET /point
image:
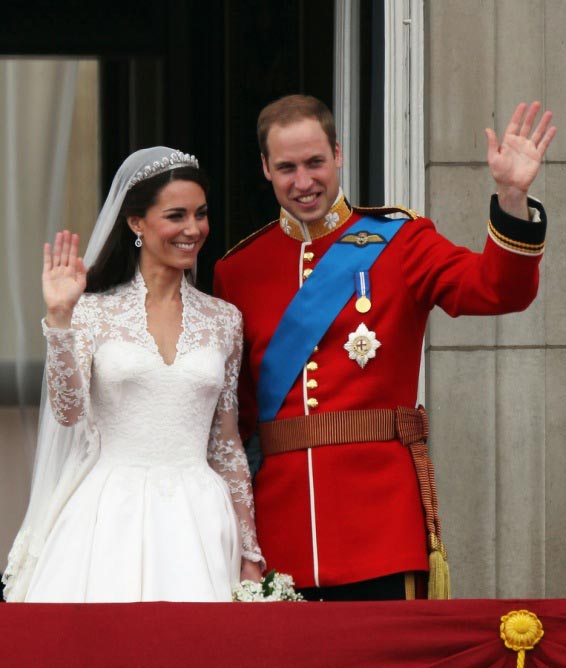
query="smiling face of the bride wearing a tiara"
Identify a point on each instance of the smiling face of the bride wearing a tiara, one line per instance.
(176, 226)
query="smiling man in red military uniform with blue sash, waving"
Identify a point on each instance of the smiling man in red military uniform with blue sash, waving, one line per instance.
(335, 301)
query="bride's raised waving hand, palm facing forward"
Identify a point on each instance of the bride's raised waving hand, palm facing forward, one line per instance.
(63, 278)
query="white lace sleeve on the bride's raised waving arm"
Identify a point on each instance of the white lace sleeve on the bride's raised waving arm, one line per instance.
(69, 356)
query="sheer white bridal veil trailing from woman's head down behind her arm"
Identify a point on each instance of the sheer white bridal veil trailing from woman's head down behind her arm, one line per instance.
(64, 455)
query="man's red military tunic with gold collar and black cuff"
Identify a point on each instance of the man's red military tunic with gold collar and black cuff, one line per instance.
(337, 514)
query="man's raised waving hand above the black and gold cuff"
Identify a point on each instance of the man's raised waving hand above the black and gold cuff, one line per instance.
(514, 163)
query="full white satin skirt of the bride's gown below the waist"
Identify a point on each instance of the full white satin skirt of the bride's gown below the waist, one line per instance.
(131, 533)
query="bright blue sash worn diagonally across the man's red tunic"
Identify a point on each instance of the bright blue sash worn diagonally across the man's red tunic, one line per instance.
(315, 307)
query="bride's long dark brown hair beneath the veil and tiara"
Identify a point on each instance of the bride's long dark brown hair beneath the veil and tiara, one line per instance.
(116, 263)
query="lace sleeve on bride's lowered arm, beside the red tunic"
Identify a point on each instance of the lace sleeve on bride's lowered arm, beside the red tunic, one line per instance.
(226, 454)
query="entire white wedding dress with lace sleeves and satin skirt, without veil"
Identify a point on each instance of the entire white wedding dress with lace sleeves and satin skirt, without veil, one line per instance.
(166, 512)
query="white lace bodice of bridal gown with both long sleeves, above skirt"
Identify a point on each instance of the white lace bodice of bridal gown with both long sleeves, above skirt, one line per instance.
(149, 413)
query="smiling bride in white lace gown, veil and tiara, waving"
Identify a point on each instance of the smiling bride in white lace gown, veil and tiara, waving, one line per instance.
(141, 489)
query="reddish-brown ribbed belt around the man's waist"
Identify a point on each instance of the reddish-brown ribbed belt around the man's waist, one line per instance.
(408, 425)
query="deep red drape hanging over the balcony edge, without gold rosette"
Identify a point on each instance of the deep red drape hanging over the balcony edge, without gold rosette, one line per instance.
(407, 634)
